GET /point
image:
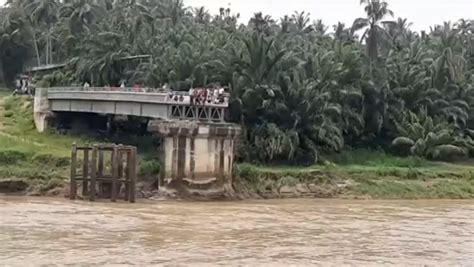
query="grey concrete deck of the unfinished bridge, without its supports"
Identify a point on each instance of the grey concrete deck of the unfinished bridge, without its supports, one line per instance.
(151, 103)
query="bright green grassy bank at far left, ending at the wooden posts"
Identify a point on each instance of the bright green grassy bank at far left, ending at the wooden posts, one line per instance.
(37, 163)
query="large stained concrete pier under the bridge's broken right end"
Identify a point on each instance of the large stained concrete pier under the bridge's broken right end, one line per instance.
(196, 157)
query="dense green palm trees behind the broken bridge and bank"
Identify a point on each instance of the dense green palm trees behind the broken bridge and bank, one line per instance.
(300, 91)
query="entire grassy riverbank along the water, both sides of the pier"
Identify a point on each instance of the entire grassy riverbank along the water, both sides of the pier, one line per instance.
(37, 164)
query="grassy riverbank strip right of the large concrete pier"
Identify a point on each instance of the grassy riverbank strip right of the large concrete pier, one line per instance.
(368, 175)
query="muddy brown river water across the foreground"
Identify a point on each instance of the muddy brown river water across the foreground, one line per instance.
(41, 231)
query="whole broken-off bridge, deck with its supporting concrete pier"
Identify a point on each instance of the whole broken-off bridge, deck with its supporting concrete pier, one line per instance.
(197, 151)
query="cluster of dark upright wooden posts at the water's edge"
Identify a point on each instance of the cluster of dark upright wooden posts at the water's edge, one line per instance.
(104, 176)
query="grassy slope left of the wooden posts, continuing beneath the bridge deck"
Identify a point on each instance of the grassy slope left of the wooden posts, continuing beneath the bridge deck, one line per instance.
(41, 160)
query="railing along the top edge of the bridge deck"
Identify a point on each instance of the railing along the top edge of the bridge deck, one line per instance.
(174, 97)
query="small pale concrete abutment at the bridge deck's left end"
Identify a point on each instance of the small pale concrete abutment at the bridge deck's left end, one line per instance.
(41, 112)
